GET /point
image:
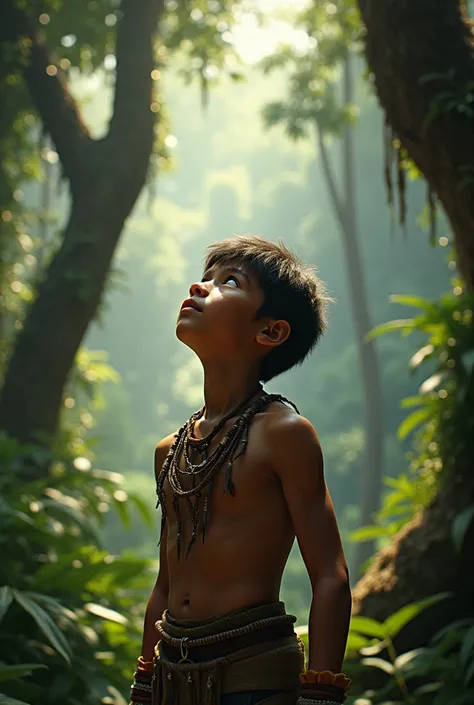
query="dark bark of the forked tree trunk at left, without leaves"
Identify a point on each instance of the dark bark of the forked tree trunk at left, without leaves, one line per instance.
(105, 177)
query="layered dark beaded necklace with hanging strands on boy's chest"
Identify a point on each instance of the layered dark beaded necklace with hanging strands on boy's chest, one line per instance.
(200, 475)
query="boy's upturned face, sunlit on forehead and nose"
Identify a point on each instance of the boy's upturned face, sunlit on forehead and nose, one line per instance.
(219, 317)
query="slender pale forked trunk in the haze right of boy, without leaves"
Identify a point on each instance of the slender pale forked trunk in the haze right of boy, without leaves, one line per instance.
(345, 209)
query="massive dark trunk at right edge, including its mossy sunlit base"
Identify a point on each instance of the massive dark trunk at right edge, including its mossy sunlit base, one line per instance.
(411, 75)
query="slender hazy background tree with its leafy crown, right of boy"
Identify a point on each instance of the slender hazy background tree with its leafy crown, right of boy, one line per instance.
(313, 106)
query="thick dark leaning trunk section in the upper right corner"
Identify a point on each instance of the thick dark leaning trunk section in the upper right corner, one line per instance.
(418, 51)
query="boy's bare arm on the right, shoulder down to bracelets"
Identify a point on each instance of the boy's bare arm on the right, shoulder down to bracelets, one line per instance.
(298, 462)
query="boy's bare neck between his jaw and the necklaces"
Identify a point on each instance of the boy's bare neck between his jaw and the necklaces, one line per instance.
(225, 387)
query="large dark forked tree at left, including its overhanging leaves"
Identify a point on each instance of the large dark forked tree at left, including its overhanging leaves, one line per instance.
(105, 176)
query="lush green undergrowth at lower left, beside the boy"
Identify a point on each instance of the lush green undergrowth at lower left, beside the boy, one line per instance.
(70, 612)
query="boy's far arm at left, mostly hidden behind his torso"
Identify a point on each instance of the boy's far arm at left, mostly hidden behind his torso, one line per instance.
(158, 600)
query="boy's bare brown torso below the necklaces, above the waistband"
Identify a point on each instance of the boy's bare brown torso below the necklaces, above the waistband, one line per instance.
(248, 540)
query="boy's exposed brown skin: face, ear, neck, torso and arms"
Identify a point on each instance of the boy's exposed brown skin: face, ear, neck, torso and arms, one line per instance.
(279, 480)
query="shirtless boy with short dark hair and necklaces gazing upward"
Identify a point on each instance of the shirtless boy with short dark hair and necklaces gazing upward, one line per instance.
(236, 484)
